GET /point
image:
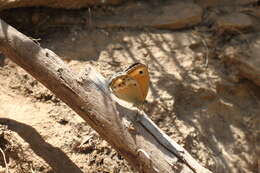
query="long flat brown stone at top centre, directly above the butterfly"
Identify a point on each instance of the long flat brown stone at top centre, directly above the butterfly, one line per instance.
(173, 15)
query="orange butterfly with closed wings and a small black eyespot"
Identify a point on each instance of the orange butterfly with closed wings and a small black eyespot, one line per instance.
(132, 84)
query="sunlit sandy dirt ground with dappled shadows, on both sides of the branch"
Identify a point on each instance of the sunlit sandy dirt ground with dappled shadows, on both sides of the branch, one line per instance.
(195, 97)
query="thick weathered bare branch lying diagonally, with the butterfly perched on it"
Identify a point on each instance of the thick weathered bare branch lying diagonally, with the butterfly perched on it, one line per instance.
(146, 149)
